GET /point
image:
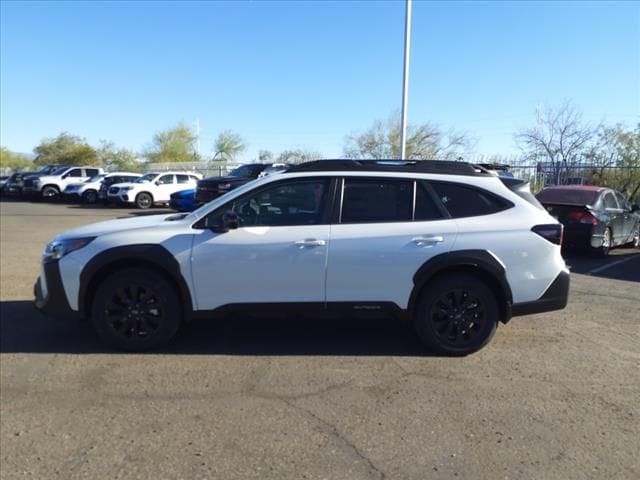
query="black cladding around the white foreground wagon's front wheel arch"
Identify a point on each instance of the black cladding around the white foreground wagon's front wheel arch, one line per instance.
(152, 257)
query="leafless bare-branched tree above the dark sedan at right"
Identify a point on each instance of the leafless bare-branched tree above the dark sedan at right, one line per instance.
(561, 136)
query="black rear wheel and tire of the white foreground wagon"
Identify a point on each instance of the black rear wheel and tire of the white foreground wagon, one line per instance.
(457, 314)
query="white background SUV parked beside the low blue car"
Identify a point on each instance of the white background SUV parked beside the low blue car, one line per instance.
(152, 188)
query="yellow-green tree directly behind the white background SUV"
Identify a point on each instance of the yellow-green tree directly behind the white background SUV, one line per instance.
(175, 144)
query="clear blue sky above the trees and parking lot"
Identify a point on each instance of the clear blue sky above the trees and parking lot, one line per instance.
(306, 74)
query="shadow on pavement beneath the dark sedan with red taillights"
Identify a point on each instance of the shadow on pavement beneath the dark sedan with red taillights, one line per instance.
(622, 264)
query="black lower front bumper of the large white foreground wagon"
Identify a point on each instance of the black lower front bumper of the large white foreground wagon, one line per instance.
(52, 300)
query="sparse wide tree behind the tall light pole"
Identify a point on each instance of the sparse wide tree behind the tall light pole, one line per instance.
(424, 142)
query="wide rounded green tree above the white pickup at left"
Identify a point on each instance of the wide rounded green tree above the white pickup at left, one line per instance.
(65, 149)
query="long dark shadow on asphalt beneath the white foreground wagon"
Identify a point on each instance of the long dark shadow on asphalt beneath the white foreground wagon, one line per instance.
(24, 330)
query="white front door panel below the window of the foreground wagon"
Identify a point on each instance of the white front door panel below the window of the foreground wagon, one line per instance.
(259, 265)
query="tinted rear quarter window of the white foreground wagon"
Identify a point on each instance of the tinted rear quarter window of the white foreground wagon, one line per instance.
(466, 201)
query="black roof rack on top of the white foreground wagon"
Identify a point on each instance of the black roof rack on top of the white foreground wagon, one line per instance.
(410, 166)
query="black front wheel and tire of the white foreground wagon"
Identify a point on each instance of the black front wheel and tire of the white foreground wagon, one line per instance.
(136, 310)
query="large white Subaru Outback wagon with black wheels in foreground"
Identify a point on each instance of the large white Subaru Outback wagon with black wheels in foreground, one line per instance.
(446, 245)
